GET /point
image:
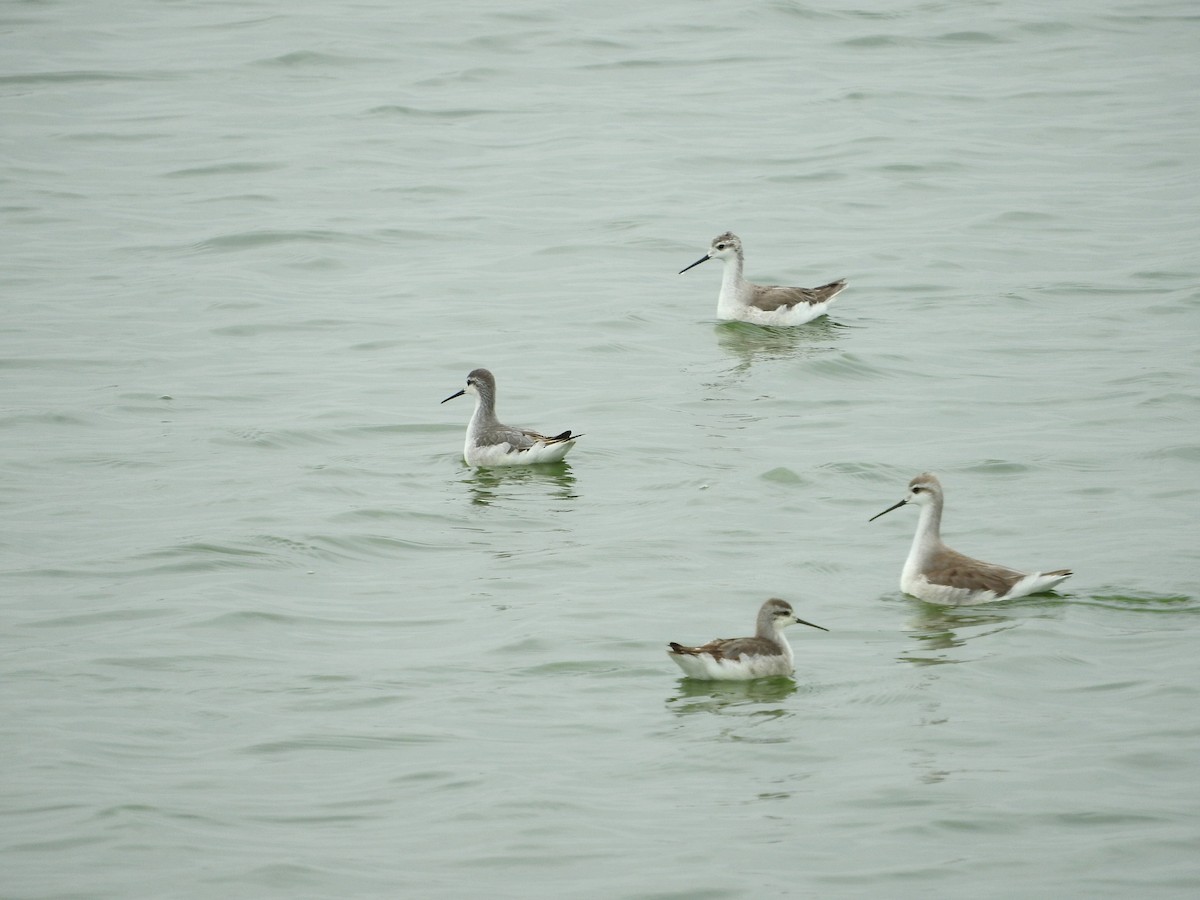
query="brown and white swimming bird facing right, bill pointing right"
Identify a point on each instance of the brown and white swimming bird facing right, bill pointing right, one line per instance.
(739, 659)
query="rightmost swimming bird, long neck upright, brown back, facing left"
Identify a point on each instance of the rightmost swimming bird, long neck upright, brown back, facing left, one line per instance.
(940, 575)
